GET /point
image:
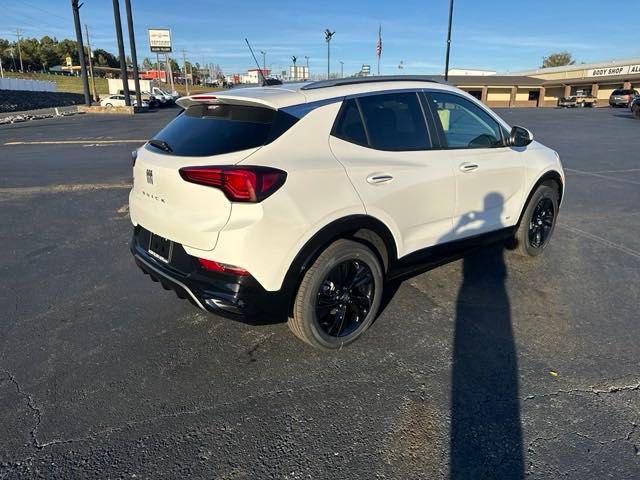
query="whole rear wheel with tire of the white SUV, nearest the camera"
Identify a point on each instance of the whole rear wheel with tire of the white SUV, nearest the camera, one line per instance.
(327, 314)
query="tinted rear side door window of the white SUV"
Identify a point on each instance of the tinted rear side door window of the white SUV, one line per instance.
(395, 121)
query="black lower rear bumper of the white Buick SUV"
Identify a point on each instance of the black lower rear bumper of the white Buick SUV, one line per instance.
(239, 298)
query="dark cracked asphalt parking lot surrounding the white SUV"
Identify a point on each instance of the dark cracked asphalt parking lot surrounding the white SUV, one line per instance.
(487, 367)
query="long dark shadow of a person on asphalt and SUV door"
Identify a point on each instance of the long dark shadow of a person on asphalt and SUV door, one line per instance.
(486, 434)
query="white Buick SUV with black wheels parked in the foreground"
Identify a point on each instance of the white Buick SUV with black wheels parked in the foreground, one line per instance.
(300, 201)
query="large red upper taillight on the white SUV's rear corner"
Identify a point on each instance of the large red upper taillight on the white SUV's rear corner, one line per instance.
(245, 184)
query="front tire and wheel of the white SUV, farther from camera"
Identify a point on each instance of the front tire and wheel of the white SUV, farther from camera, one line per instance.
(531, 238)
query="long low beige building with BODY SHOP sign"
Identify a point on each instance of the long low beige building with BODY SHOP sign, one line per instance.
(544, 87)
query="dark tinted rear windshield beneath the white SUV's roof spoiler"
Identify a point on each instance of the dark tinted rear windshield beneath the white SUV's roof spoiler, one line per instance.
(205, 130)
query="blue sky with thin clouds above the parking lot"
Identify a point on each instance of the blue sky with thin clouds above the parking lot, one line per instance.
(502, 35)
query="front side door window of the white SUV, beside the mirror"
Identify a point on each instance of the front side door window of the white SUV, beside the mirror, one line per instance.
(465, 124)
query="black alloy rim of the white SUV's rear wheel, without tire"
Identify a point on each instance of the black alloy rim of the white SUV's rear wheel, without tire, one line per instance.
(345, 298)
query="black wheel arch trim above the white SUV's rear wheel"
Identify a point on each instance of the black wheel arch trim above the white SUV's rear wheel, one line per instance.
(361, 228)
